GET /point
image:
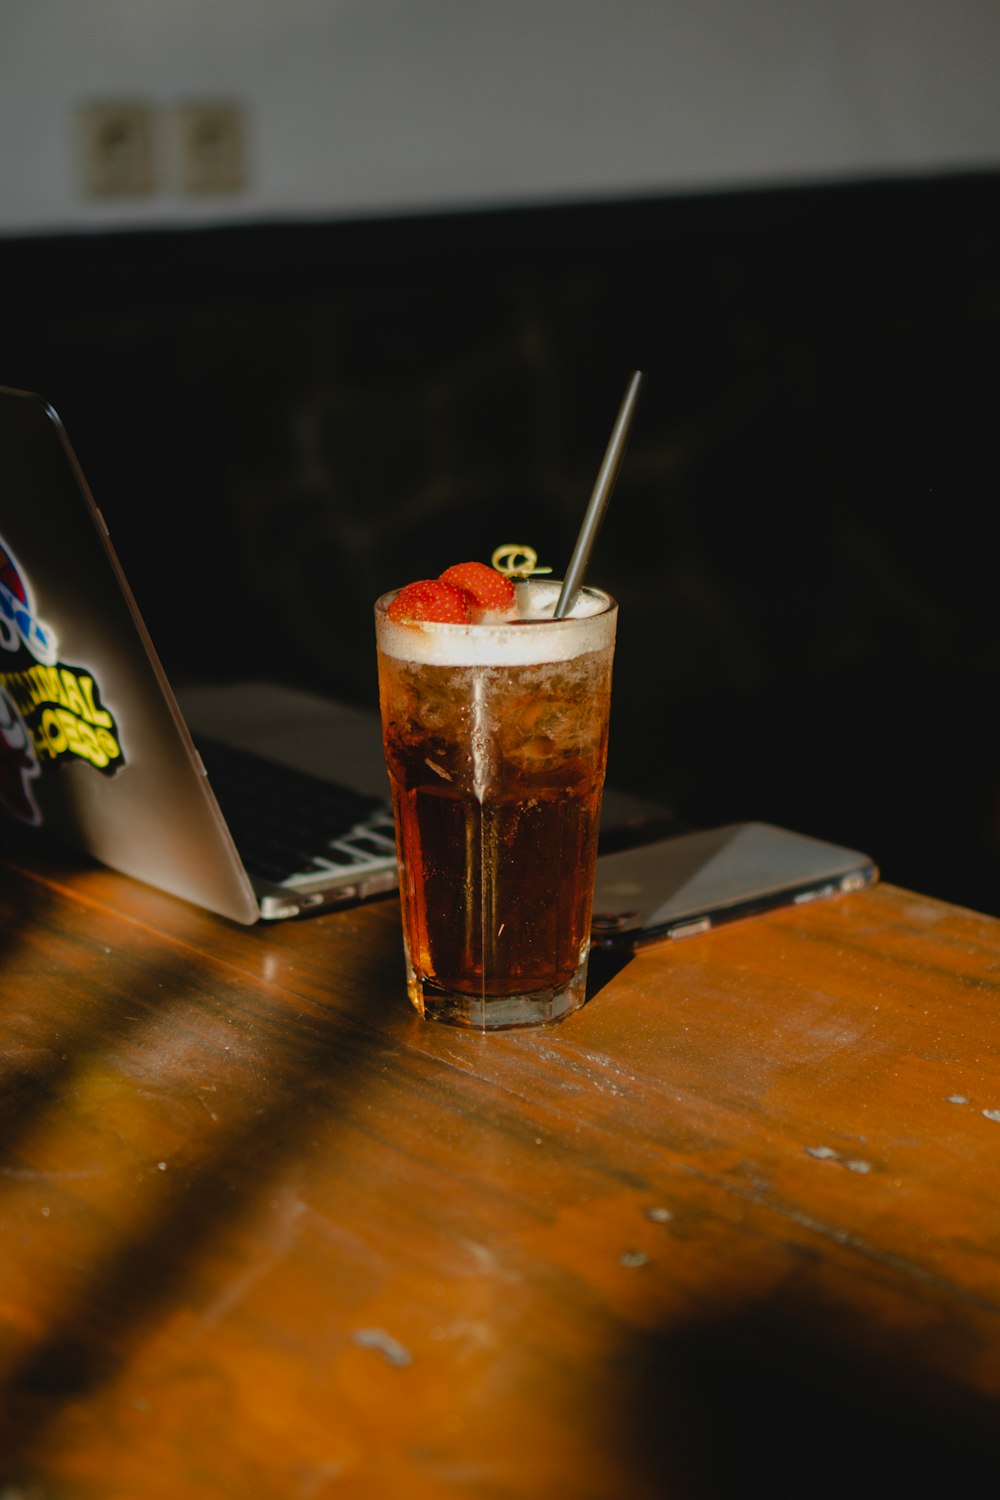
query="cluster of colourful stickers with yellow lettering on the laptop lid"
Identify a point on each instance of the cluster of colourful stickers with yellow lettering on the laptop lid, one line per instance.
(50, 712)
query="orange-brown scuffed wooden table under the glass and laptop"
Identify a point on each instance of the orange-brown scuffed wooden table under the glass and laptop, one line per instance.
(731, 1231)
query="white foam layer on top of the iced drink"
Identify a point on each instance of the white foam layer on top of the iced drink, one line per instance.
(521, 640)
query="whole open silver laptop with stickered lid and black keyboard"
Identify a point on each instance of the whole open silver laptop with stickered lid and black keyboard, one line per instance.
(250, 800)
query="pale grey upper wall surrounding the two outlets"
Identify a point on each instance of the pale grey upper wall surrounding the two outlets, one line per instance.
(359, 107)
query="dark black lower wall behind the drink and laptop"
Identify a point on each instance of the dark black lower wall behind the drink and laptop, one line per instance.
(281, 422)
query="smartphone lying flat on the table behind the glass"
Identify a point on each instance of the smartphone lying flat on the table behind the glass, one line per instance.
(692, 883)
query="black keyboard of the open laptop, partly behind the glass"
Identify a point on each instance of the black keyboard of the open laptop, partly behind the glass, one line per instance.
(290, 827)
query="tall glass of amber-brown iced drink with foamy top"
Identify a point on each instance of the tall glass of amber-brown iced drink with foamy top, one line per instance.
(497, 740)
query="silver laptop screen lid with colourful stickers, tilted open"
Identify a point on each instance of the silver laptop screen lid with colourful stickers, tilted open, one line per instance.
(94, 746)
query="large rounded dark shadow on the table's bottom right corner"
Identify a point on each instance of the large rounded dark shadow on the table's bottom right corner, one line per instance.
(798, 1402)
